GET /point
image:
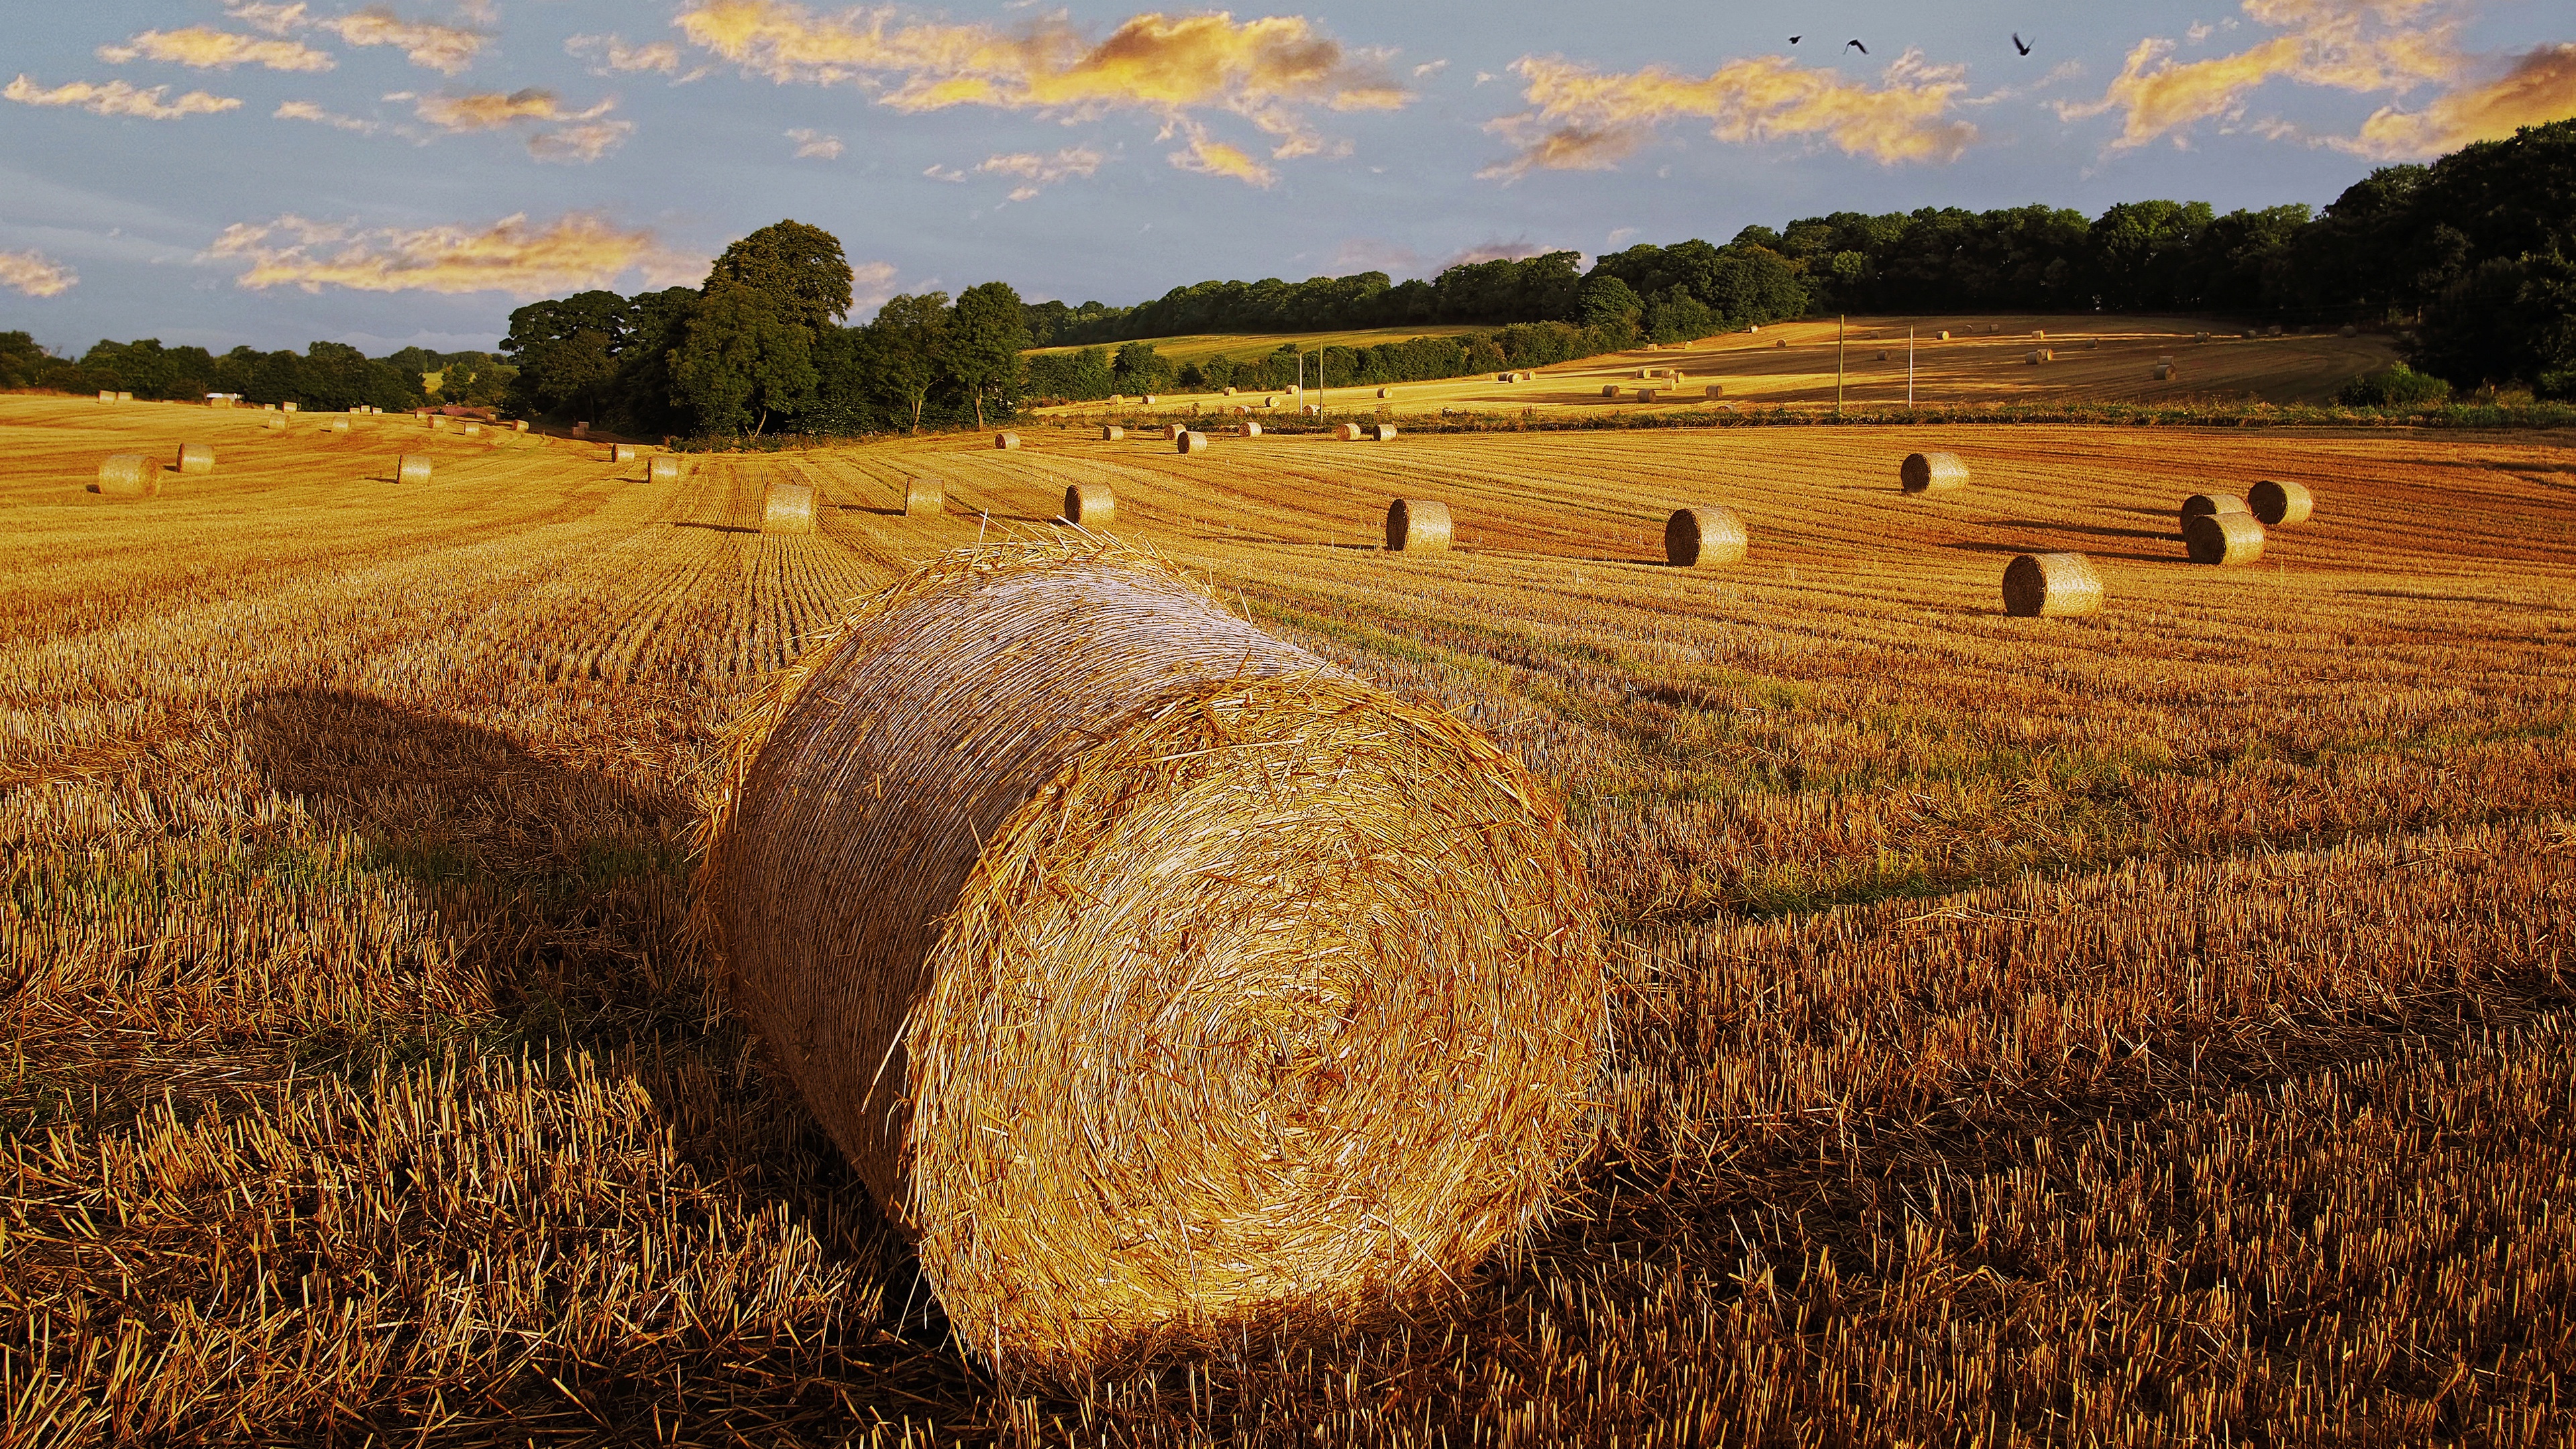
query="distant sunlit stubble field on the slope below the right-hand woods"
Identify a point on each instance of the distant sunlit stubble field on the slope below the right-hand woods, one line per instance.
(2098, 360)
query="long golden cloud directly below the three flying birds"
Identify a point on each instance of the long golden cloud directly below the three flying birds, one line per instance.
(1586, 120)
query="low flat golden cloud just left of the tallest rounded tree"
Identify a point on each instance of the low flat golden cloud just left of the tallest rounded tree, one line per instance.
(573, 254)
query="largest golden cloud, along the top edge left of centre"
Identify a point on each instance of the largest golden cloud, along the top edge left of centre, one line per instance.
(1271, 71)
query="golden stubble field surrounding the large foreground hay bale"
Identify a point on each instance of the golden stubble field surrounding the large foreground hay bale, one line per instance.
(2126, 1030)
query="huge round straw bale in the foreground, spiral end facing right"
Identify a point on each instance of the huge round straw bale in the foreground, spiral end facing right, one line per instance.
(1160, 981)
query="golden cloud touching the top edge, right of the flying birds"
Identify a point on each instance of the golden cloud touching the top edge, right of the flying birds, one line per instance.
(2345, 45)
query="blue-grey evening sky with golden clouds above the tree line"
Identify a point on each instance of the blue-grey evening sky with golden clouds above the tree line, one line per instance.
(277, 171)
